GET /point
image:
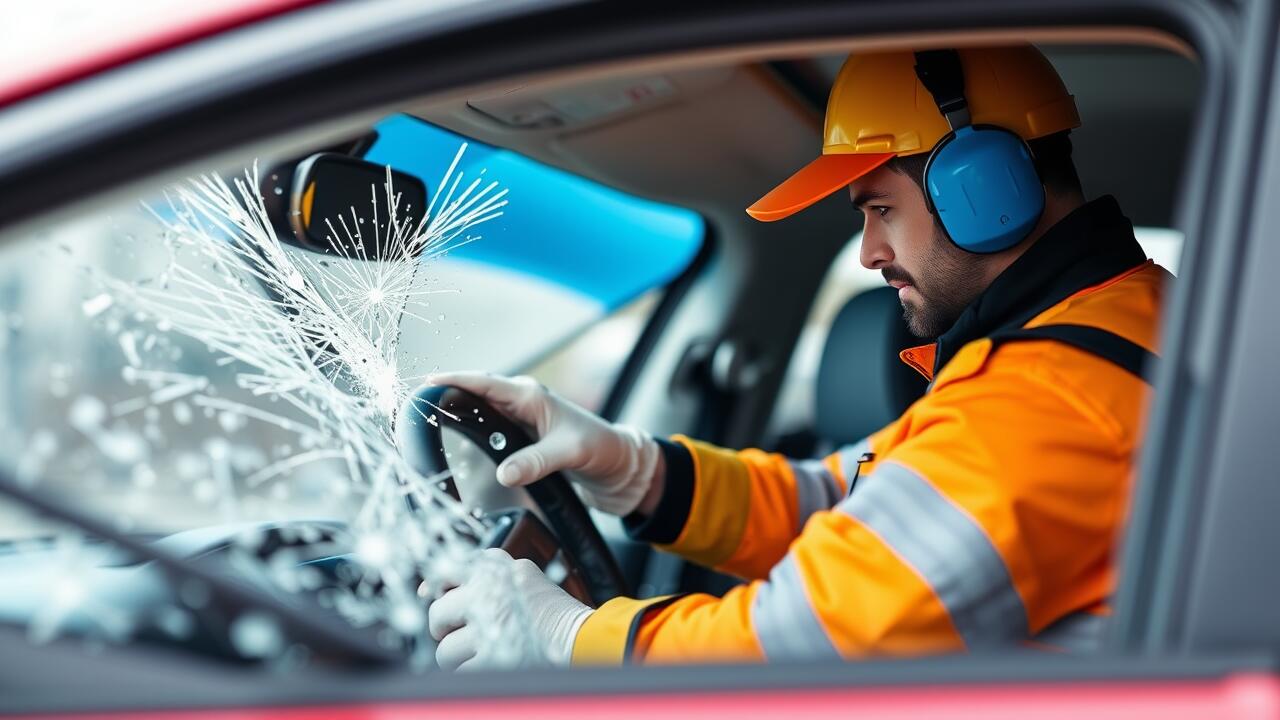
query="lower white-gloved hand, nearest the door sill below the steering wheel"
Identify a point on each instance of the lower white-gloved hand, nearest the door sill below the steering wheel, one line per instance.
(505, 614)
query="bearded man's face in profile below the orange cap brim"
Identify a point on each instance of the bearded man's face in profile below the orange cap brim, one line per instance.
(935, 280)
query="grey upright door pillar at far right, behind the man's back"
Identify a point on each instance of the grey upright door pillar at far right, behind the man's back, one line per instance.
(1199, 577)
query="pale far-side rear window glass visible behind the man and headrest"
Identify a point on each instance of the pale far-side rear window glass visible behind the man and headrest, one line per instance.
(848, 277)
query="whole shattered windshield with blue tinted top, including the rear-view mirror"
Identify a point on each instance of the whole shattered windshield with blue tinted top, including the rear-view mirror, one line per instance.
(218, 432)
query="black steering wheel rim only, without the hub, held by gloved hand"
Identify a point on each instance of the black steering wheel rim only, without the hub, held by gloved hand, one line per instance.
(477, 421)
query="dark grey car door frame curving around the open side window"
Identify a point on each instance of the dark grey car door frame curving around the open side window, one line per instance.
(1195, 477)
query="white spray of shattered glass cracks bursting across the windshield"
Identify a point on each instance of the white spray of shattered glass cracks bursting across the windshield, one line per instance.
(310, 341)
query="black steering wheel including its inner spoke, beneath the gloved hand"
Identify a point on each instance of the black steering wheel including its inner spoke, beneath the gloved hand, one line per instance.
(569, 536)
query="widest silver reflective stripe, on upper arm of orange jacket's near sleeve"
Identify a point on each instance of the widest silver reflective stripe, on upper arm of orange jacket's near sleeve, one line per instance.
(948, 549)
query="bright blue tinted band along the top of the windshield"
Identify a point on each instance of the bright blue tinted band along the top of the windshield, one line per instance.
(574, 233)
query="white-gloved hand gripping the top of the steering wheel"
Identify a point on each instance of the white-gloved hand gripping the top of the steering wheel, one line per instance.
(616, 464)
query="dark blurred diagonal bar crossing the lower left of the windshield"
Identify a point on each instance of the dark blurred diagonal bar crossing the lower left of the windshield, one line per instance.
(332, 637)
